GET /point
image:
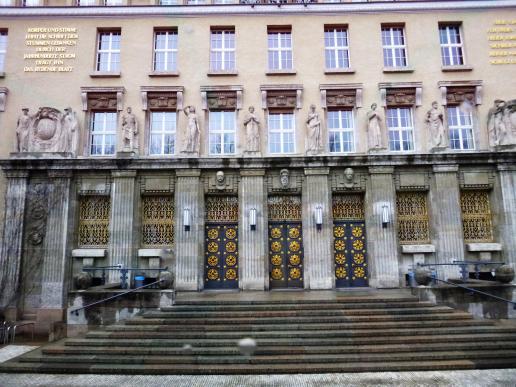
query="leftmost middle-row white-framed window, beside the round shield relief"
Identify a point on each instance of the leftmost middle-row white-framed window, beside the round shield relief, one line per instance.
(103, 133)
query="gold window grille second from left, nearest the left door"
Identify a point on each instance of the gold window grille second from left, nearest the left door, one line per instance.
(157, 220)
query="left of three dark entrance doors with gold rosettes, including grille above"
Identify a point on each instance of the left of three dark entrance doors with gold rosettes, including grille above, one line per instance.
(221, 243)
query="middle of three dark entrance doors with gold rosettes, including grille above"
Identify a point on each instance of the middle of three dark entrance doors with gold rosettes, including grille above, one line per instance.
(285, 242)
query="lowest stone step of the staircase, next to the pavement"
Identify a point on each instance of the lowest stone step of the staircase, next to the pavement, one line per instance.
(300, 368)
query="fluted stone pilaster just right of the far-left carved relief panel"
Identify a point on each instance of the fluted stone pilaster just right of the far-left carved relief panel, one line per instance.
(53, 281)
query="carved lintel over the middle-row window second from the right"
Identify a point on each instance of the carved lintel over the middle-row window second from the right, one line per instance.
(401, 93)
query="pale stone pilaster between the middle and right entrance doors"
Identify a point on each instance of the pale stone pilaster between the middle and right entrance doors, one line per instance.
(318, 259)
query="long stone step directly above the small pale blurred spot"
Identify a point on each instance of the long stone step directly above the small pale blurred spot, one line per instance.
(236, 334)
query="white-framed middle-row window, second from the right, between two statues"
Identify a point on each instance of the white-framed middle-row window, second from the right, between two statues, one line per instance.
(400, 127)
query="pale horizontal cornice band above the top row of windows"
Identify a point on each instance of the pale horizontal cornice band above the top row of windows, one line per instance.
(258, 9)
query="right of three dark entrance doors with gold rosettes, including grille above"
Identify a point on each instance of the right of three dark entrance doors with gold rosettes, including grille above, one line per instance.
(349, 245)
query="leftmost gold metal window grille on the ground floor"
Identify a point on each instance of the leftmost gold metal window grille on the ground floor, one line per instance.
(94, 221)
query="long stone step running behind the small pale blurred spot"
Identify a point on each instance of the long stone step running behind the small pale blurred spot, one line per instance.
(282, 350)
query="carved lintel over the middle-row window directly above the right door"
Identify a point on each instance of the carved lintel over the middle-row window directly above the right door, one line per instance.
(341, 95)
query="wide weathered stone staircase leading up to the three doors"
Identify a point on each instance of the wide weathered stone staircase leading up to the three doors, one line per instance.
(325, 332)
